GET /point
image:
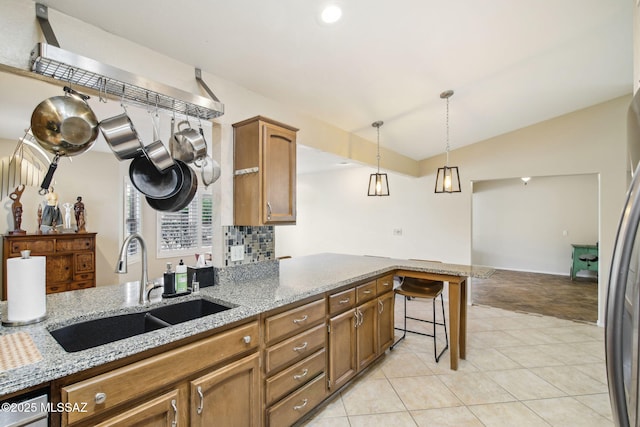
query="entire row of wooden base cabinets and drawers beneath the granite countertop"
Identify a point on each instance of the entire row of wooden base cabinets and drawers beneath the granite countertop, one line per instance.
(273, 370)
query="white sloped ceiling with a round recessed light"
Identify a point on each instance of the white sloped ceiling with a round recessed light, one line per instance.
(510, 63)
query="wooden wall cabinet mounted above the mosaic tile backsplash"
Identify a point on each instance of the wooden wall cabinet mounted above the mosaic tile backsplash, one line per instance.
(264, 182)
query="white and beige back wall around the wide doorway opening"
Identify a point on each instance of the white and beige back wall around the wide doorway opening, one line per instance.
(334, 213)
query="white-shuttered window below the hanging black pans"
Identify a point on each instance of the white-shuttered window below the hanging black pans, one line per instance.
(187, 231)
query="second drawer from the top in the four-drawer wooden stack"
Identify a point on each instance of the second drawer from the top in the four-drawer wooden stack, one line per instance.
(295, 348)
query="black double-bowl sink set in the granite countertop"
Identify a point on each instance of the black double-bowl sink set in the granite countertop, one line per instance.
(92, 333)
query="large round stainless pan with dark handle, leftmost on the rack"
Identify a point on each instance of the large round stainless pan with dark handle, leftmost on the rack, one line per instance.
(64, 126)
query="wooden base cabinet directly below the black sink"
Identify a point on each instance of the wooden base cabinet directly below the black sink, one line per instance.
(210, 363)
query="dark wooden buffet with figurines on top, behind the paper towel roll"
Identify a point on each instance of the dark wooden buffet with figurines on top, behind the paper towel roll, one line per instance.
(71, 258)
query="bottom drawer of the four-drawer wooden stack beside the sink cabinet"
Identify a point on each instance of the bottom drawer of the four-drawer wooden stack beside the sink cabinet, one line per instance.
(294, 407)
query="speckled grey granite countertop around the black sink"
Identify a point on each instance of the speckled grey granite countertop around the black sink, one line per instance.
(251, 290)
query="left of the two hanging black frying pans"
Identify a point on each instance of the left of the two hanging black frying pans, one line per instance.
(152, 183)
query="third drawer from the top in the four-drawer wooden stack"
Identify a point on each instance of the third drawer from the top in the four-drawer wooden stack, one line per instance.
(288, 380)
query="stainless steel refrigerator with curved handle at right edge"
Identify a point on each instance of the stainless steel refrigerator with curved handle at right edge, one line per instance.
(622, 321)
